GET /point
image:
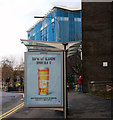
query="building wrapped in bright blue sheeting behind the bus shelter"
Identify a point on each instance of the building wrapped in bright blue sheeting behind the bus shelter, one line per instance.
(61, 24)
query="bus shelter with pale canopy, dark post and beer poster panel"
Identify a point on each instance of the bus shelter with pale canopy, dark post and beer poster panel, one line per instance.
(45, 73)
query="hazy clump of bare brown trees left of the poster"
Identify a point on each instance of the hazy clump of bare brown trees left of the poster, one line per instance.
(12, 72)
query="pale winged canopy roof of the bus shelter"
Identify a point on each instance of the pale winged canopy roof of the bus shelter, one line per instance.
(33, 45)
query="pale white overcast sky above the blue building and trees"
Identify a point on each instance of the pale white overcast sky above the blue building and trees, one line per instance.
(17, 16)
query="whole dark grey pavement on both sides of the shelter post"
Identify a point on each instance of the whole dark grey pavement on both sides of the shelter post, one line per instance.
(80, 105)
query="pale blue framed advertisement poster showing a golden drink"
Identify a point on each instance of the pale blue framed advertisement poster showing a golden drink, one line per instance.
(44, 79)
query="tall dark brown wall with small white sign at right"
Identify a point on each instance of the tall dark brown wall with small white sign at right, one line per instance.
(97, 45)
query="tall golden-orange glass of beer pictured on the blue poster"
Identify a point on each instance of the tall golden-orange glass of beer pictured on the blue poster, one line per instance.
(43, 80)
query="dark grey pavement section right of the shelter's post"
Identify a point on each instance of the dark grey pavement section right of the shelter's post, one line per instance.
(88, 106)
